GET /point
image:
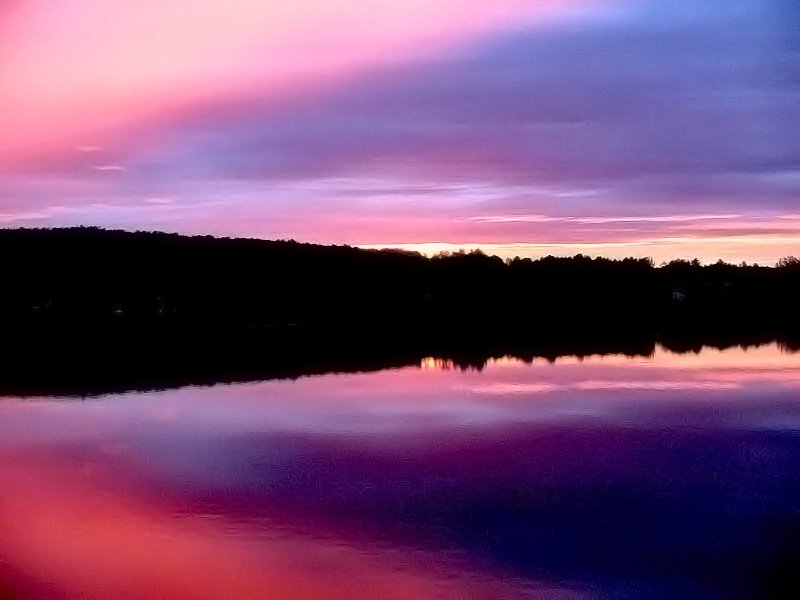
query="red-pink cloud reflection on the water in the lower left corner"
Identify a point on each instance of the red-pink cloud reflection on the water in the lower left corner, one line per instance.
(69, 530)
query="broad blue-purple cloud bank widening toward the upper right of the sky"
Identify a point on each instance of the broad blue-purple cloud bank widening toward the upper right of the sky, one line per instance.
(658, 103)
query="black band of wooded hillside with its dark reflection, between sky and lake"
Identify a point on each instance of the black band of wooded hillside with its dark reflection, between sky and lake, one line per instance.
(114, 304)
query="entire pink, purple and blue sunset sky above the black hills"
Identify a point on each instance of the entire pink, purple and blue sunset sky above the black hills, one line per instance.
(523, 127)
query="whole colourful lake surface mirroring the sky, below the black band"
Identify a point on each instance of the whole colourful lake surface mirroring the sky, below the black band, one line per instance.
(673, 476)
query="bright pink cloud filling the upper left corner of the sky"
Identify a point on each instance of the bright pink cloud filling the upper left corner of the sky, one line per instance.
(75, 72)
